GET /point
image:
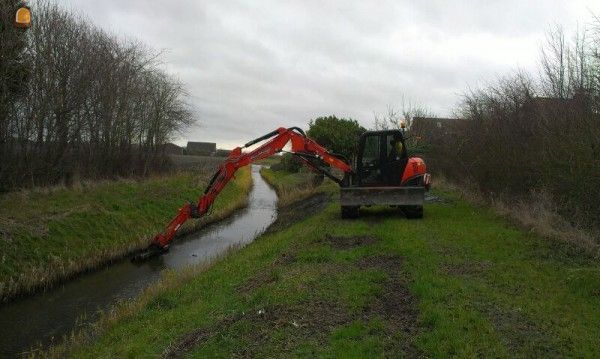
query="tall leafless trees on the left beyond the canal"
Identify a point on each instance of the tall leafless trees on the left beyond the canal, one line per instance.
(76, 102)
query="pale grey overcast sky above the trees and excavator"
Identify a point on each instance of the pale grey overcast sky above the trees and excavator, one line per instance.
(256, 65)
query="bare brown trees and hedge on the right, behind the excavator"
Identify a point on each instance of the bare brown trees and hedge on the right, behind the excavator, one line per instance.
(529, 133)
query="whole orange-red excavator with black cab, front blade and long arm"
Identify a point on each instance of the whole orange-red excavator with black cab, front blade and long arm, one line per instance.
(384, 175)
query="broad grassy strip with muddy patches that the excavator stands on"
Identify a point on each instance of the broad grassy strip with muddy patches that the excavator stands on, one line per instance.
(461, 282)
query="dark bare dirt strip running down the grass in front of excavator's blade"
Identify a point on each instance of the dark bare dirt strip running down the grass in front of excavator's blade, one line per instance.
(395, 304)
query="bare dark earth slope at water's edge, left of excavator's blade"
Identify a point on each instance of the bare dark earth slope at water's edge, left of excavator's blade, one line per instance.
(298, 211)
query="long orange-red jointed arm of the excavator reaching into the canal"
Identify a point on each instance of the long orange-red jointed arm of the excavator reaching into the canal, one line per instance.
(302, 146)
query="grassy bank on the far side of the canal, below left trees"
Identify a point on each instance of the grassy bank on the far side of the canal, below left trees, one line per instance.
(51, 234)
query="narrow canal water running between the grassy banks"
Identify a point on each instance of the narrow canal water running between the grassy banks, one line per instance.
(45, 318)
